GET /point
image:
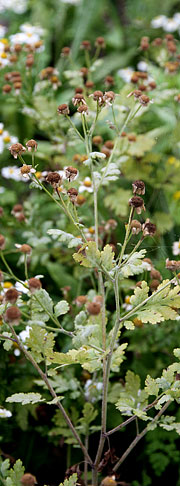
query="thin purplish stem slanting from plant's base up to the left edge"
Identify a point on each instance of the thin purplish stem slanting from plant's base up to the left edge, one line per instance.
(52, 392)
